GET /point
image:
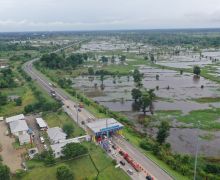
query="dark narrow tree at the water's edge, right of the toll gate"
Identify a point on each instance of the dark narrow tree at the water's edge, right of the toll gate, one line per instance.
(163, 132)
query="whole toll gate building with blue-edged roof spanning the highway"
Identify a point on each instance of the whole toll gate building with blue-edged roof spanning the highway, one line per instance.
(104, 127)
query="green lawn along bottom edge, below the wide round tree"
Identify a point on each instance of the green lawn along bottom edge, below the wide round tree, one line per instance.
(81, 167)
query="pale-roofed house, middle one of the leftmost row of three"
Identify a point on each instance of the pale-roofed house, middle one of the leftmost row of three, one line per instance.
(18, 127)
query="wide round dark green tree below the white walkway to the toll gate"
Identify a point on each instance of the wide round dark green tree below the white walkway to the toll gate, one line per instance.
(72, 150)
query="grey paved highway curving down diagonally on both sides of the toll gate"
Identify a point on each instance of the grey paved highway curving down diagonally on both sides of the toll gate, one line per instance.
(70, 107)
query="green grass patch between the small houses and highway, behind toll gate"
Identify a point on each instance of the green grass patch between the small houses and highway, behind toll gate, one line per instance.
(54, 119)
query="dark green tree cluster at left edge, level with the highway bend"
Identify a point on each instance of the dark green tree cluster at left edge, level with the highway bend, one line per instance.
(7, 78)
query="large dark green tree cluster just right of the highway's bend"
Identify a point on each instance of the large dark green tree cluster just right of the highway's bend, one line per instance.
(54, 61)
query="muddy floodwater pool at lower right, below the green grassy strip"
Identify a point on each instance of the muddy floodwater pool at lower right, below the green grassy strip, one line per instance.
(185, 141)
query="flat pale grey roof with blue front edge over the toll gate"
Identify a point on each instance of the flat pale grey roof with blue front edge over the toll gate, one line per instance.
(101, 125)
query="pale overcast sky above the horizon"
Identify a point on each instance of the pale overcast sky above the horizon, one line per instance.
(40, 15)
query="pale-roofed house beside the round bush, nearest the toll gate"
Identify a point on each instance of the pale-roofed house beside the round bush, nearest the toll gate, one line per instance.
(56, 134)
